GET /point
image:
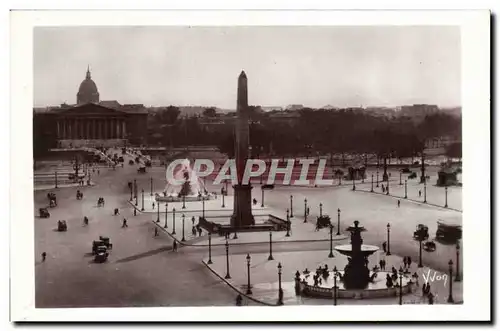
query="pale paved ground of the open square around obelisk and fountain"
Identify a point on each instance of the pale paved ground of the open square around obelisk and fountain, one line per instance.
(144, 271)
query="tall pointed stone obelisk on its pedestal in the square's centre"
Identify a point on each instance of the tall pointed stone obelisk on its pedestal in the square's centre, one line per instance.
(242, 213)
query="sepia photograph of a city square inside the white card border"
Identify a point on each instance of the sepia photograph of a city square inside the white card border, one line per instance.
(249, 165)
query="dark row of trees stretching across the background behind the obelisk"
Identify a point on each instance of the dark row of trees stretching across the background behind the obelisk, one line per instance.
(313, 131)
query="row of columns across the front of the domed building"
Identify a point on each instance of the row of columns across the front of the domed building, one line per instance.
(91, 128)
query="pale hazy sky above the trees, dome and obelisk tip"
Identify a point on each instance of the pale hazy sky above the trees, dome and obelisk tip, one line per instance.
(314, 66)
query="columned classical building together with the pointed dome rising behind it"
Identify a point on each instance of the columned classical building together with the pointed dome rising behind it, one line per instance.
(91, 122)
